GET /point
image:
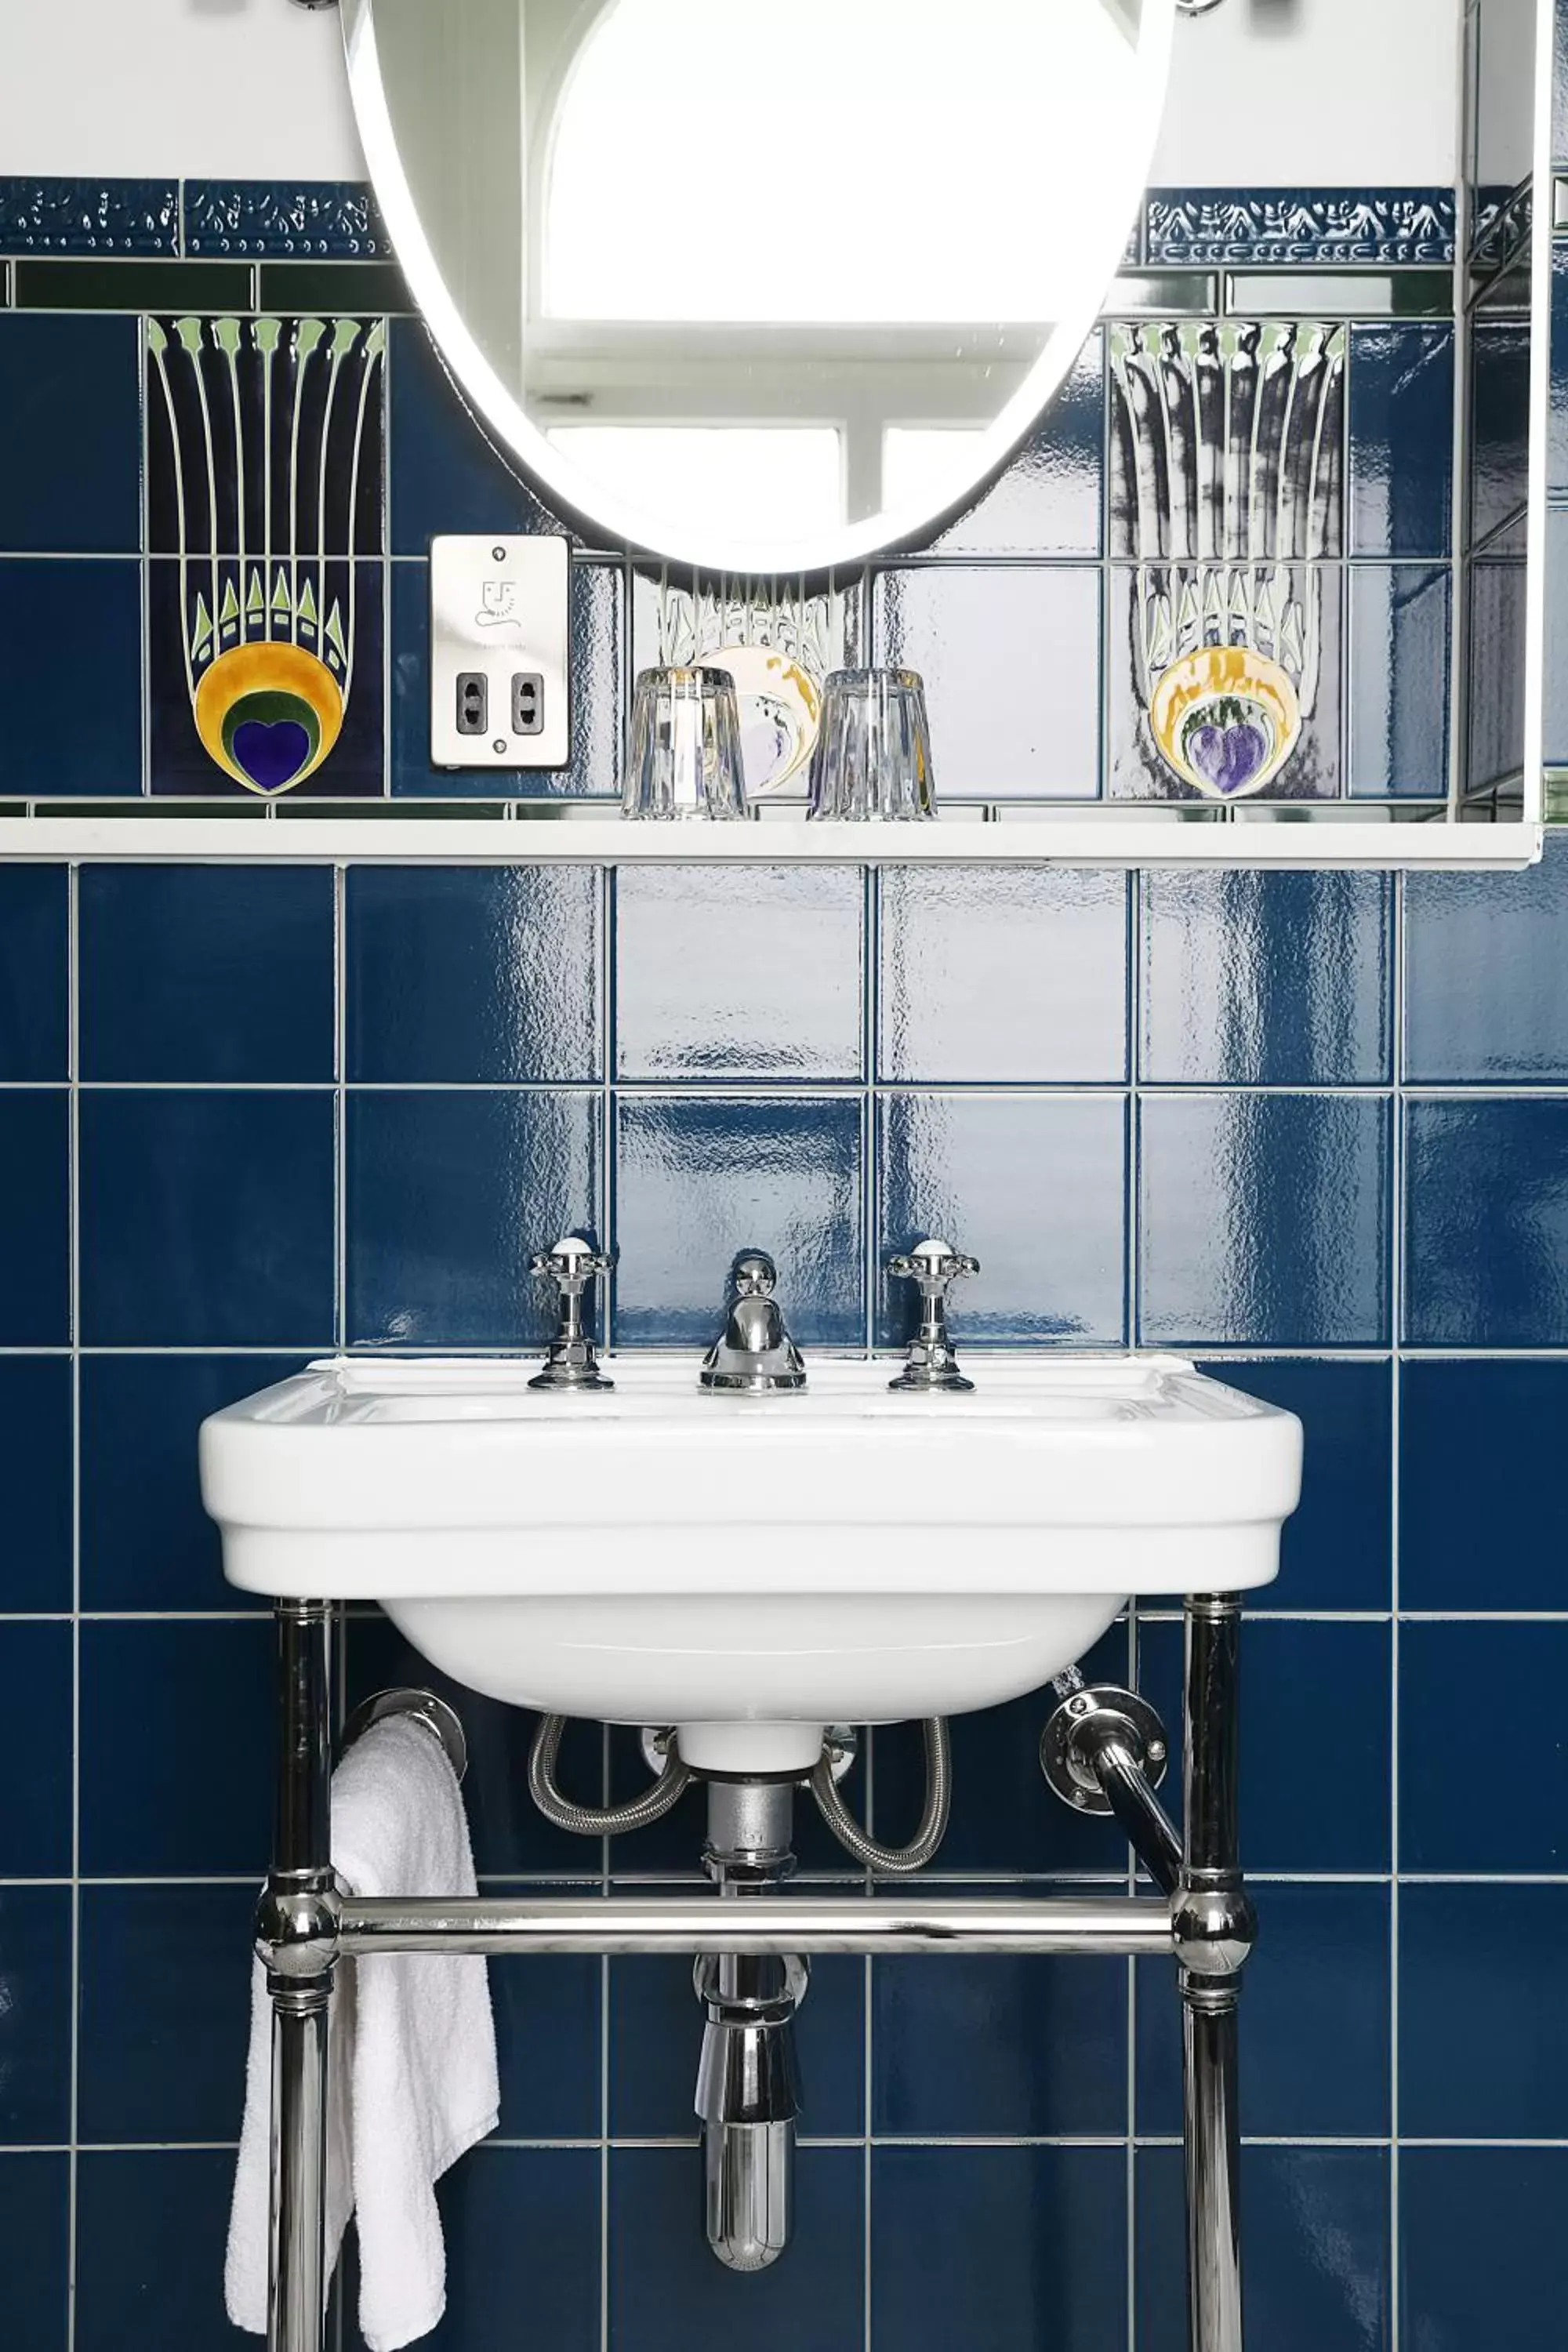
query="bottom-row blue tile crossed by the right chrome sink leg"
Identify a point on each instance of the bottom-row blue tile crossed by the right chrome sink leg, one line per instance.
(1318, 2250)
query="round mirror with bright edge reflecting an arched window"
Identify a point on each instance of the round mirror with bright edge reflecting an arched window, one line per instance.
(760, 288)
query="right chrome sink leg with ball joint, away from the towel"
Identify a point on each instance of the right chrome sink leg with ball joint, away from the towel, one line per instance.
(1214, 1935)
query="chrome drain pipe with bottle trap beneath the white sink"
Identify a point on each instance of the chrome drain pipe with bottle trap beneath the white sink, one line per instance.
(749, 2078)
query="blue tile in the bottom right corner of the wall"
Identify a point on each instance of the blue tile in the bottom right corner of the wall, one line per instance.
(1482, 2250)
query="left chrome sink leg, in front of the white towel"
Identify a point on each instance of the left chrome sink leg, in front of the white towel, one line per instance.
(297, 1939)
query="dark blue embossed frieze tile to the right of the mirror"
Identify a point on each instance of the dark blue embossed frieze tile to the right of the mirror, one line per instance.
(1271, 227)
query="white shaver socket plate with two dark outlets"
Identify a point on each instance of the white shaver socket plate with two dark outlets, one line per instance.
(500, 610)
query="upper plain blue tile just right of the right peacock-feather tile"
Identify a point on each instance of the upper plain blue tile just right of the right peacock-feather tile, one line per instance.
(1400, 439)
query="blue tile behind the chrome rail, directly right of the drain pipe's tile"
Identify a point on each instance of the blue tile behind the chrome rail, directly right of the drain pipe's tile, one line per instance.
(998, 2050)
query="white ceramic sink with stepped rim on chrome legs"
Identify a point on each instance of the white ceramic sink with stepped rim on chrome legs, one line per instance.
(751, 1568)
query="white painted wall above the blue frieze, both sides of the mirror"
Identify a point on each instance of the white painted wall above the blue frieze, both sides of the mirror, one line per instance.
(1351, 91)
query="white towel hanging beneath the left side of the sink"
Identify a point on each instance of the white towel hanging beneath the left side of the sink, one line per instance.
(413, 2052)
